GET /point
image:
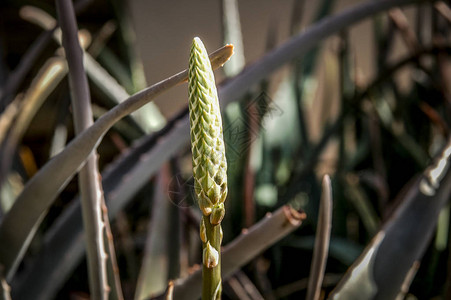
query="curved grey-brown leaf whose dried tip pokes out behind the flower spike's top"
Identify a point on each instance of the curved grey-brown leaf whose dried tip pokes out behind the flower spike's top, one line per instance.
(21, 222)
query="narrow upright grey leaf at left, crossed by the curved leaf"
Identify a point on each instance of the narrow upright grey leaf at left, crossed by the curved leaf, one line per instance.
(92, 199)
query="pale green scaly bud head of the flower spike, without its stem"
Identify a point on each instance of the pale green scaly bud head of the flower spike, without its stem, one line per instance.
(207, 144)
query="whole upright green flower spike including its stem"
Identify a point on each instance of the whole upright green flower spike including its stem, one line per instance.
(209, 164)
